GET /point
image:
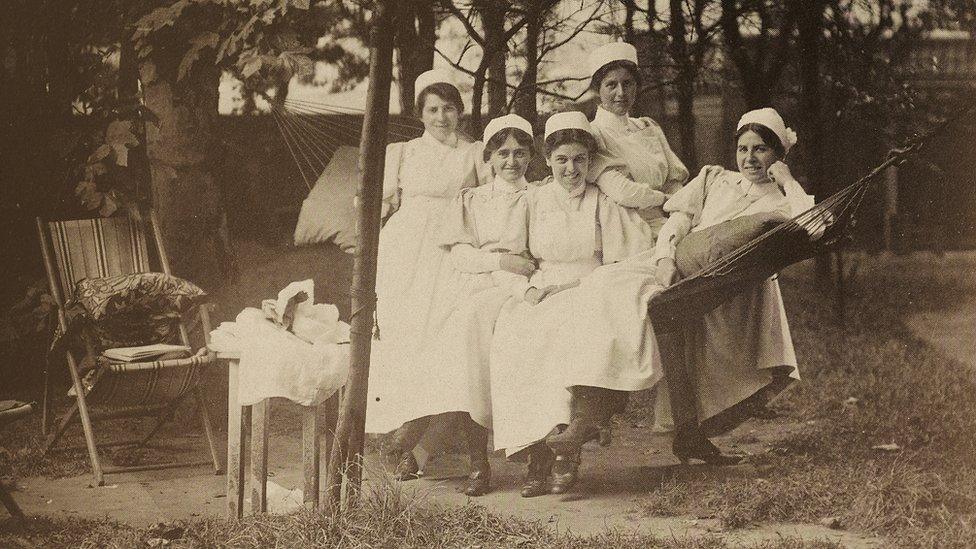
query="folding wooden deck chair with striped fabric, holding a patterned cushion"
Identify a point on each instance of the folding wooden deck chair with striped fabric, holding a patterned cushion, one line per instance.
(103, 247)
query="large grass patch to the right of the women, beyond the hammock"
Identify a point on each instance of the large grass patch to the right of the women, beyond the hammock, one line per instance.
(868, 383)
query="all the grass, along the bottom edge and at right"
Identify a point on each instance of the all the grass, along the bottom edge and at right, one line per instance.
(868, 383)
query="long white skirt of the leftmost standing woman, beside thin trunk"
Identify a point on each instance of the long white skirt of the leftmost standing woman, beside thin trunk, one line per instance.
(417, 290)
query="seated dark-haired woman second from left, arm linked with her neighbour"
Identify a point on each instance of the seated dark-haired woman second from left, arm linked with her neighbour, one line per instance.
(484, 229)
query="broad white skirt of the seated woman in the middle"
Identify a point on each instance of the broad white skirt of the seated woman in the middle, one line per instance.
(596, 334)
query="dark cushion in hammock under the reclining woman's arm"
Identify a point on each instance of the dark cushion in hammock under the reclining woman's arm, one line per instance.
(699, 248)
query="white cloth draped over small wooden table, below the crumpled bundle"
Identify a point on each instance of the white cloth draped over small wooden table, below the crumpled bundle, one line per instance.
(276, 363)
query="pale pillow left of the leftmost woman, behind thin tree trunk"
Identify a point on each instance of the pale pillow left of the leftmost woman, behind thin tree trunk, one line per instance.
(328, 213)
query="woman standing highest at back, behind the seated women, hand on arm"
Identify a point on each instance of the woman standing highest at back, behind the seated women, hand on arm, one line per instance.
(637, 142)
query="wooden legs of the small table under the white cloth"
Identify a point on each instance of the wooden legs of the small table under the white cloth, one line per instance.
(240, 418)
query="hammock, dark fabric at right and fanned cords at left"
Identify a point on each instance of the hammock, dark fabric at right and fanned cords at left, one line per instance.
(313, 131)
